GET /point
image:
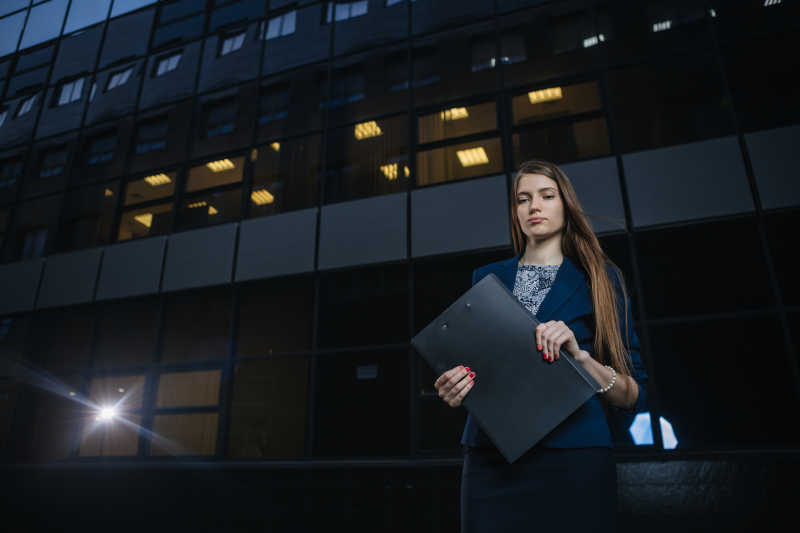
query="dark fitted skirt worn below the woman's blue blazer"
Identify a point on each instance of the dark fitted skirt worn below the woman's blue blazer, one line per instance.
(547, 489)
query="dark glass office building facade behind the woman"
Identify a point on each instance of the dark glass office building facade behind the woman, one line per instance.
(132, 121)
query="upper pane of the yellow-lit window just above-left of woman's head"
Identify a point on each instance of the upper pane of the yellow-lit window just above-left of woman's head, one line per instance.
(457, 121)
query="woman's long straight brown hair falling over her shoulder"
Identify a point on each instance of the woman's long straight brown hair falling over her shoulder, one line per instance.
(580, 244)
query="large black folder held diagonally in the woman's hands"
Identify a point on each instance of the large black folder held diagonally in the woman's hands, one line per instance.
(518, 397)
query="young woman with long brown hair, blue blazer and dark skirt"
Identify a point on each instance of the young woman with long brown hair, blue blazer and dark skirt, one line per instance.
(561, 274)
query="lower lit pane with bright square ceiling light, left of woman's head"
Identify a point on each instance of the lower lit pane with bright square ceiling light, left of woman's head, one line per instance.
(459, 161)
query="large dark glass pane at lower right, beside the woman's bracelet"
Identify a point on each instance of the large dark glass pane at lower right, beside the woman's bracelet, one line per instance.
(696, 363)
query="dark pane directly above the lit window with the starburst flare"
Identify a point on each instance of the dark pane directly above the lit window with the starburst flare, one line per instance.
(126, 332)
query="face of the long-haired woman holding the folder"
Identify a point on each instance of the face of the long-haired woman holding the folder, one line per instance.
(538, 198)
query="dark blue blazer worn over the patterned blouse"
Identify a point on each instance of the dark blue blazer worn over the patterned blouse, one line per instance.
(570, 300)
